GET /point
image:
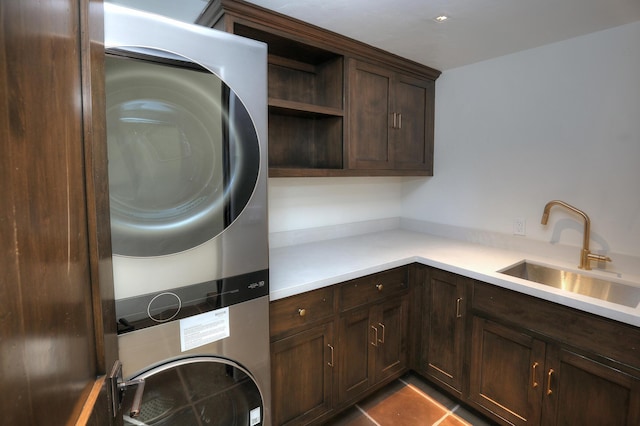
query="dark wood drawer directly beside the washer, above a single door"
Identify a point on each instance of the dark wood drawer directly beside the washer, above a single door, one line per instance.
(295, 311)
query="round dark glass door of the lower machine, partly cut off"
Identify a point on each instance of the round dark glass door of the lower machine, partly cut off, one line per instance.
(198, 391)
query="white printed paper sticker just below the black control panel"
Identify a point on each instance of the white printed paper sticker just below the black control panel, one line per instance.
(202, 329)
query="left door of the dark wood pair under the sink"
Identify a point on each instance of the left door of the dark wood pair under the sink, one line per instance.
(506, 372)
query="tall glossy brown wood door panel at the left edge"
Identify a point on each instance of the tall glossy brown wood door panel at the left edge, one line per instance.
(48, 346)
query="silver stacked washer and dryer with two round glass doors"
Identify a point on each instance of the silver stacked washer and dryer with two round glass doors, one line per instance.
(187, 140)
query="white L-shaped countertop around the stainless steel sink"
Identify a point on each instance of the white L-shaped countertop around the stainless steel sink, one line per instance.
(299, 268)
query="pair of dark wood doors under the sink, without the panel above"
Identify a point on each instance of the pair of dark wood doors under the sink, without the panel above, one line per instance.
(525, 381)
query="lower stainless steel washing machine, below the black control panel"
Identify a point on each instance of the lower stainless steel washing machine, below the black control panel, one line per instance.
(224, 382)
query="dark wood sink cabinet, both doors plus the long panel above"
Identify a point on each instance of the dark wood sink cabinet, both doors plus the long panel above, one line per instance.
(534, 362)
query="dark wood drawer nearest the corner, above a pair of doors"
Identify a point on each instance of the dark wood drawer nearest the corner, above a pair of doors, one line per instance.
(372, 288)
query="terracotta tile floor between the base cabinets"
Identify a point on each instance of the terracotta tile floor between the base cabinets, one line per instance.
(409, 400)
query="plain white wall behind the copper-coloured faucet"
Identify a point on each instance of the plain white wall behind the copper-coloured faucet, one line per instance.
(560, 121)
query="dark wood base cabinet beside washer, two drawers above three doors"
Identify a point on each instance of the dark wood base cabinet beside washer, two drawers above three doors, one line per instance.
(333, 346)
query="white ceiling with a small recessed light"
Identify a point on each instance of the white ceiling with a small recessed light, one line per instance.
(476, 29)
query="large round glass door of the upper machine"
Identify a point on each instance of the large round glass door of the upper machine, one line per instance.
(183, 154)
